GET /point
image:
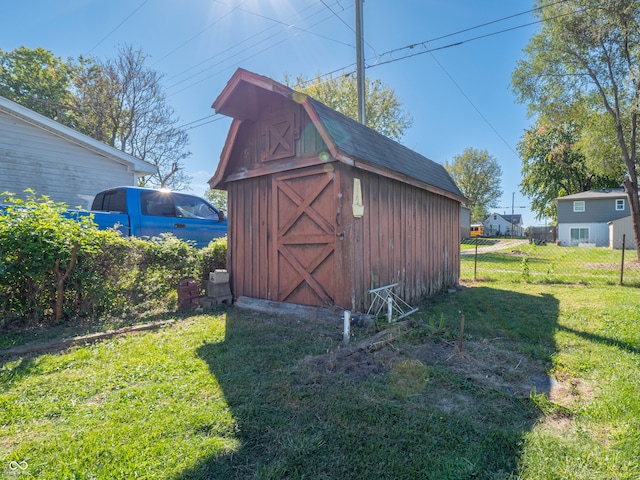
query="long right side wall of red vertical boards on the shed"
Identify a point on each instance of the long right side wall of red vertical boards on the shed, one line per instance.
(407, 235)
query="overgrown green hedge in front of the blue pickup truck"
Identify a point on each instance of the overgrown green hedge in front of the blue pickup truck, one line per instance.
(48, 255)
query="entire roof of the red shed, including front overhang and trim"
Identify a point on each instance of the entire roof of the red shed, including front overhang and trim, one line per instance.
(348, 141)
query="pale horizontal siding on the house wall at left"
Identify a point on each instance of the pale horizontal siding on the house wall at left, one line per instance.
(34, 158)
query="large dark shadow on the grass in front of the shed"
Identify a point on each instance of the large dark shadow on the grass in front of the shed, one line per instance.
(307, 408)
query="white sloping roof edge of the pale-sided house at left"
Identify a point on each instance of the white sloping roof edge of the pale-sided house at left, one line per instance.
(25, 114)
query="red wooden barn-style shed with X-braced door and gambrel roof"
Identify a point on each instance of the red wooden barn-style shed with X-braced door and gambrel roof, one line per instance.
(322, 209)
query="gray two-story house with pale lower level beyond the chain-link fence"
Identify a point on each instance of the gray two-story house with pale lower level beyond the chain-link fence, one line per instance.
(584, 218)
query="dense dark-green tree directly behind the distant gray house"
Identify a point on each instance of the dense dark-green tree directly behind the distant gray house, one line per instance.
(553, 166)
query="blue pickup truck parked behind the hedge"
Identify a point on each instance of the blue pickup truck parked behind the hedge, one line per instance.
(145, 212)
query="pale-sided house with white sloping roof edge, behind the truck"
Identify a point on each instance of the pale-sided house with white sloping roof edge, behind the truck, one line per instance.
(41, 154)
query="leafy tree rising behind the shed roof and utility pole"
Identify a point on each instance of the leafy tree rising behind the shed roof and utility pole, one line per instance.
(383, 109)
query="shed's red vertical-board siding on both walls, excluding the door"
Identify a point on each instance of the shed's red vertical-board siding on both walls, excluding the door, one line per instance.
(407, 235)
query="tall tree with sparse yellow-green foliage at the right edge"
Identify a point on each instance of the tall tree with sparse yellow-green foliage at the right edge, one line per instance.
(587, 53)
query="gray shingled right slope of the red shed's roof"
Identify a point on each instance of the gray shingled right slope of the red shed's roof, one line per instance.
(356, 140)
